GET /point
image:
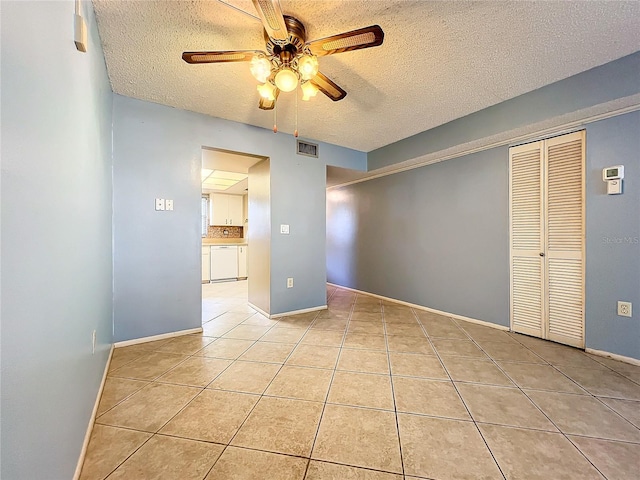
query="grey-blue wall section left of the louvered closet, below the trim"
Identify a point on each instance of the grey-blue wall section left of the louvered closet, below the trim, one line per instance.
(436, 236)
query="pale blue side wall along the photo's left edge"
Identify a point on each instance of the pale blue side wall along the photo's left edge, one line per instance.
(56, 236)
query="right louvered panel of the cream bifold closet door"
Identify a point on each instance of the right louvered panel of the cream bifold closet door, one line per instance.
(565, 238)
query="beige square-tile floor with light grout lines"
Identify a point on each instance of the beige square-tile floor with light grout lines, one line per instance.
(367, 390)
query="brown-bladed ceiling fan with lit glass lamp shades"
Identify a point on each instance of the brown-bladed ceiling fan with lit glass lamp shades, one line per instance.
(291, 60)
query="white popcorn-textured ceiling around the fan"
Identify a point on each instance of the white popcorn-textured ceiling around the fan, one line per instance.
(439, 61)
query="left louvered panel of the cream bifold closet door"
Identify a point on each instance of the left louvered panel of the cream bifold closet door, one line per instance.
(526, 234)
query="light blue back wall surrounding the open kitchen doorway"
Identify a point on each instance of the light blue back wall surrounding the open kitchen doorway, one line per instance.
(157, 153)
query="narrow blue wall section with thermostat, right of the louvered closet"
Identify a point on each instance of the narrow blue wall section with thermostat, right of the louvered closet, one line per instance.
(613, 236)
